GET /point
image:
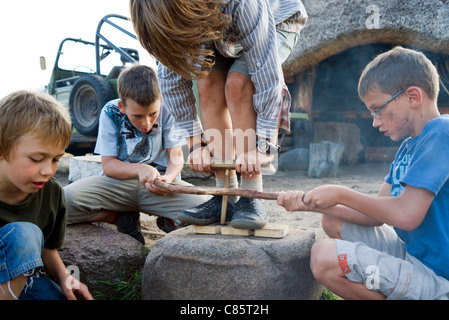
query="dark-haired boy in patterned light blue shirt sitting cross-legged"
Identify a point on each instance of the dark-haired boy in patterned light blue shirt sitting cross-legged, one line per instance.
(137, 146)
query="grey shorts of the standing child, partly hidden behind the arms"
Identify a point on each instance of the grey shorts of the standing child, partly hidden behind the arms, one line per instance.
(286, 41)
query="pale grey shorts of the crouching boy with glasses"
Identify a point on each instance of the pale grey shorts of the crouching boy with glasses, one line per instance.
(376, 257)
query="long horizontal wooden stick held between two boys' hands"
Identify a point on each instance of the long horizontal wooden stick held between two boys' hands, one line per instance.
(214, 191)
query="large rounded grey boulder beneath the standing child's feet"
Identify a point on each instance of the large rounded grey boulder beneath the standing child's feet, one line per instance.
(188, 266)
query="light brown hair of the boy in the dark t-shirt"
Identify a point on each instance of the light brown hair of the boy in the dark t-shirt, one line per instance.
(25, 112)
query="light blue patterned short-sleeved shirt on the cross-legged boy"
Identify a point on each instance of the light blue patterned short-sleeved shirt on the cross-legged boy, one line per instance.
(117, 137)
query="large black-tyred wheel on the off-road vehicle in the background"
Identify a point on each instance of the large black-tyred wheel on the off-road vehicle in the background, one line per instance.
(89, 94)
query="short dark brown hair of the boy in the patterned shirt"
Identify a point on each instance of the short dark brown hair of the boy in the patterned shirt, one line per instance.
(138, 83)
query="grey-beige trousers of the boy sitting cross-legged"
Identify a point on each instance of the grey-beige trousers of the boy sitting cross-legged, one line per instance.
(85, 197)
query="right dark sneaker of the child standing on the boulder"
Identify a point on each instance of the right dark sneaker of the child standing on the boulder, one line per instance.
(249, 213)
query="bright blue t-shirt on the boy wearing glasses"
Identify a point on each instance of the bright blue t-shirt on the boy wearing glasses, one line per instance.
(423, 162)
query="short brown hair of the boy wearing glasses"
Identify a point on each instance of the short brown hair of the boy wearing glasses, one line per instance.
(399, 69)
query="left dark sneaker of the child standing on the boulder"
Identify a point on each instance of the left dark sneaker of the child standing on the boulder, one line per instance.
(206, 213)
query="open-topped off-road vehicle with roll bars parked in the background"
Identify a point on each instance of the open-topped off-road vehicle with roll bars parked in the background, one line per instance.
(84, 75)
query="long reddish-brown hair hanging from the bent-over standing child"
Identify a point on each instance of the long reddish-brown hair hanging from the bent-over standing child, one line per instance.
(175, 32)
